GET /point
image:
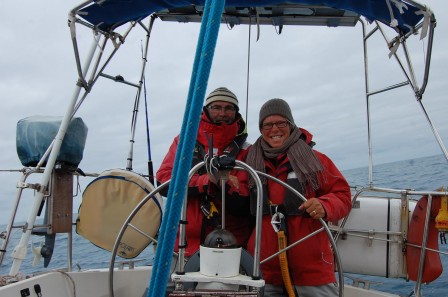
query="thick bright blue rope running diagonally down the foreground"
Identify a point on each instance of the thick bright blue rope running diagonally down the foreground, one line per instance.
(184, 155)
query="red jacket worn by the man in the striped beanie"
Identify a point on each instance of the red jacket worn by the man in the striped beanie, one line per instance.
(238, 219)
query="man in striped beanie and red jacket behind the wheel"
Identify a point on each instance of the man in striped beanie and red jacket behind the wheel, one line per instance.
(222, 126)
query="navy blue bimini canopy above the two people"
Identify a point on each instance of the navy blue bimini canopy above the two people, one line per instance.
(403, 16)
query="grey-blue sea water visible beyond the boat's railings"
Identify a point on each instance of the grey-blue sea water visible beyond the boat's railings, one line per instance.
(428, 173)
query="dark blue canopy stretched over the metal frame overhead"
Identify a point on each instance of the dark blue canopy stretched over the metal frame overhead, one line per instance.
(402, 15)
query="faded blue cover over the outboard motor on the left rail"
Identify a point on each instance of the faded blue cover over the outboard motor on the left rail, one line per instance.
(34, 134)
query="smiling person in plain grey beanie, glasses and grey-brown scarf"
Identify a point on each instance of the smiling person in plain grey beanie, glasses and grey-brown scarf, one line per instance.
(286, 152)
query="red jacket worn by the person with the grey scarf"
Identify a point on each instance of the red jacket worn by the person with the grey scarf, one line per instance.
(311, 262)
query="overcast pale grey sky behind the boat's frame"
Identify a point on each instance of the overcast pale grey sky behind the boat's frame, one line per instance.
(318, 70)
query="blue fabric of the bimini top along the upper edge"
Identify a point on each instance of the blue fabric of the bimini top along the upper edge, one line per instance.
(107, 14)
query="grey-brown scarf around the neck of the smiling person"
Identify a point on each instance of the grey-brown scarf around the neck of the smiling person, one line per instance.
(301, 156)
